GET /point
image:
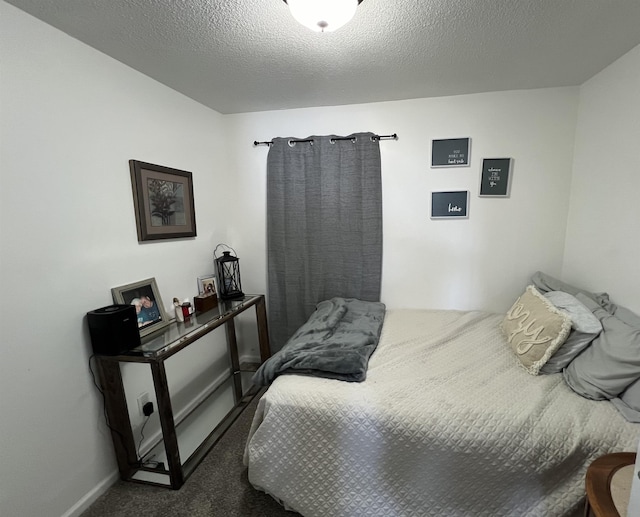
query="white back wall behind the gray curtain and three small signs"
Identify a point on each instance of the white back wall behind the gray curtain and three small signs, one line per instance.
(482, 262)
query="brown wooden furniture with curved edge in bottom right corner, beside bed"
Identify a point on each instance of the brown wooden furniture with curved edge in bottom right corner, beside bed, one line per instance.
(608, 484)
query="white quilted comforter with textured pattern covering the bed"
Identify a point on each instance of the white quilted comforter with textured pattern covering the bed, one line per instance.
(445, 424)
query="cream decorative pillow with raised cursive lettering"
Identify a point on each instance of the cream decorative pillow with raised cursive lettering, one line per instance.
(535, 329)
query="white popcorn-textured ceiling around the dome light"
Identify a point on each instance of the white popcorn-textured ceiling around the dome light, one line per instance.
(250, 55)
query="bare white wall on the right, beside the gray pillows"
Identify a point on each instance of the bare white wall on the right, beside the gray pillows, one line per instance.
(603, 232)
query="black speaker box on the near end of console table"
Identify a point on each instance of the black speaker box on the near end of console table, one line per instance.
(113, 329)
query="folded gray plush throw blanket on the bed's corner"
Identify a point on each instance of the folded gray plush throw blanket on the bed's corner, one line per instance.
(336, 342)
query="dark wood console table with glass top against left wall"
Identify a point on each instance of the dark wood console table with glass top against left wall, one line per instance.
(154, 351)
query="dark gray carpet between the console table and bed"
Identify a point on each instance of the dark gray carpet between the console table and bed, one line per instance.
(218, 488)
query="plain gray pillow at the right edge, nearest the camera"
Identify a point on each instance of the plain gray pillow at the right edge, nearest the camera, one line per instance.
(612, 362)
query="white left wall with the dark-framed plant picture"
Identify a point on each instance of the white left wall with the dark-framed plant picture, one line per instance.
(71, 120)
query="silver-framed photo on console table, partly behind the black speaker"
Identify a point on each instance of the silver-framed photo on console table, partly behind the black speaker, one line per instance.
(145, 296)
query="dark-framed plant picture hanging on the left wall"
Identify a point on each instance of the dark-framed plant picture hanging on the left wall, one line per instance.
(163, 201)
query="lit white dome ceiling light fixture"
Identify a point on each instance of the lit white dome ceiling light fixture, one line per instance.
(323, 15)
